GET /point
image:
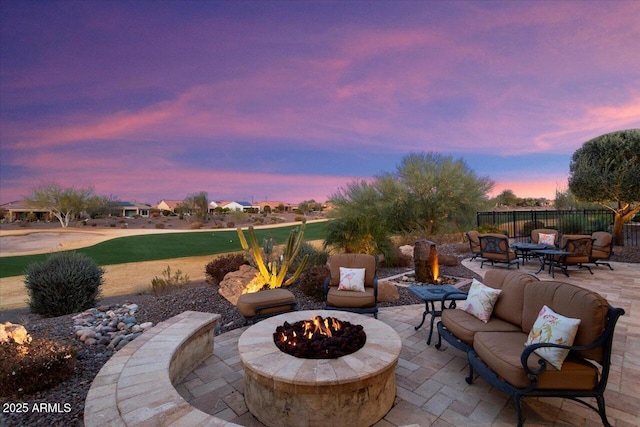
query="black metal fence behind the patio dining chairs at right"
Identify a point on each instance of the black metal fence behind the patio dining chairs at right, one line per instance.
(518, 224)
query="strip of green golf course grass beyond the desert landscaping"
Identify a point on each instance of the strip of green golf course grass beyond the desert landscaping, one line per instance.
(154, 247)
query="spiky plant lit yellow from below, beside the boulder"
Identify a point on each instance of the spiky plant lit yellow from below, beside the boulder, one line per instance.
(274, 272)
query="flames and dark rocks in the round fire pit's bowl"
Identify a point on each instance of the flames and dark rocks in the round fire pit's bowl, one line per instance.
(319, 338)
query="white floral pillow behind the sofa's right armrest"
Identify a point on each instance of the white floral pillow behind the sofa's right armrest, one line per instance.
(553, 328)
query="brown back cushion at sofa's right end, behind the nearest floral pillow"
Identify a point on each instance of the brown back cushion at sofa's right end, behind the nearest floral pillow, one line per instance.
(569, 301)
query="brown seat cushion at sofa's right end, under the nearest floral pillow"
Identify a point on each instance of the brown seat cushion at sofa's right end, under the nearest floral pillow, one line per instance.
(501, 352)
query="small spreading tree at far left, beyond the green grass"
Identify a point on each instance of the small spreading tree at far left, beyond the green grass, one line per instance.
(64, 203)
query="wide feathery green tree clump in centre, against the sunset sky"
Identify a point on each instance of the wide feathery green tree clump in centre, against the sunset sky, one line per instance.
(428, 194)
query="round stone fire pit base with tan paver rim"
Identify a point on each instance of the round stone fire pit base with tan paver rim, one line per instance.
(355, 390)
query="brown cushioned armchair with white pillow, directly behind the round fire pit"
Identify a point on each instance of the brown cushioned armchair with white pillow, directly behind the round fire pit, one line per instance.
(352, 284)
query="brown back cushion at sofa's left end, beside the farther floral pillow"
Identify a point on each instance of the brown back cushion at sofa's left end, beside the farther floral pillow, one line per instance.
(510, 302)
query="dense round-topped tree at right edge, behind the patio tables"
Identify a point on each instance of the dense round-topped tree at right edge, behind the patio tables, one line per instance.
(606, 171)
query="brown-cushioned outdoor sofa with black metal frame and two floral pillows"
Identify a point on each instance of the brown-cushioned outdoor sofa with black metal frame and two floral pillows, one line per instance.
(496, 348)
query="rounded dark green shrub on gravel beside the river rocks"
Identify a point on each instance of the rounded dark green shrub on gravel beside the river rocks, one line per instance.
(66, 282)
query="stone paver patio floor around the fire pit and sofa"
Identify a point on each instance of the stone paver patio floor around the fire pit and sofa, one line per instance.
(431, 387)
